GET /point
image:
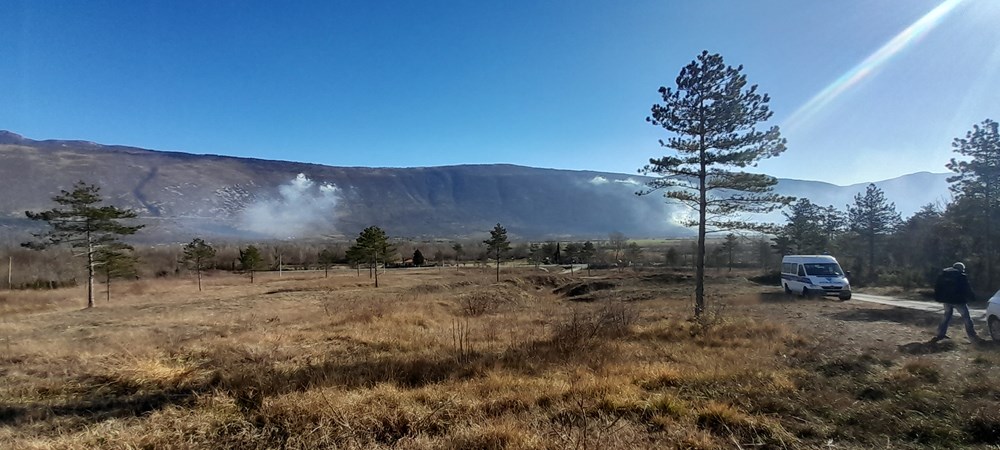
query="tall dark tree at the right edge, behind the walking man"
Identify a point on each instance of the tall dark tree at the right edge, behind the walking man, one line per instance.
(977, 181)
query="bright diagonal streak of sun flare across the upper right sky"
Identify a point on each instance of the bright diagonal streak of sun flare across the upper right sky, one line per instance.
(871, 64)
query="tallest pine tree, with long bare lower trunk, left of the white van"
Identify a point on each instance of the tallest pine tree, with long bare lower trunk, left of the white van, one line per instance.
(713, 115)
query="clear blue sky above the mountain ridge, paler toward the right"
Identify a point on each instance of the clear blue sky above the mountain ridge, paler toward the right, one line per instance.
(563, 84)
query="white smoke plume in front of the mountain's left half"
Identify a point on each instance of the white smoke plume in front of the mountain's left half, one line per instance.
(301, 208)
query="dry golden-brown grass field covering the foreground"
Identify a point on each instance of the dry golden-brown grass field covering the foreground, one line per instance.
(447, 358)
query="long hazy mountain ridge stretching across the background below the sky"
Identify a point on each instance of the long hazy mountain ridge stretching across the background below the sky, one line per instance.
(181, 195)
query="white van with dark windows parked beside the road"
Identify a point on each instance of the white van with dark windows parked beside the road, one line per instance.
(814, 274)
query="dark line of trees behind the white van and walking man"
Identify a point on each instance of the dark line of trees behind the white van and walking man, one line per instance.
(872, 238)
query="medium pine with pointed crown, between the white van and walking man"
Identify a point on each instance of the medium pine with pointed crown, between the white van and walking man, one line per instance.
(872, 217)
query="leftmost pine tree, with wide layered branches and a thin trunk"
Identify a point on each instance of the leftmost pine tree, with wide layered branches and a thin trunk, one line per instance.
(83, 223)
